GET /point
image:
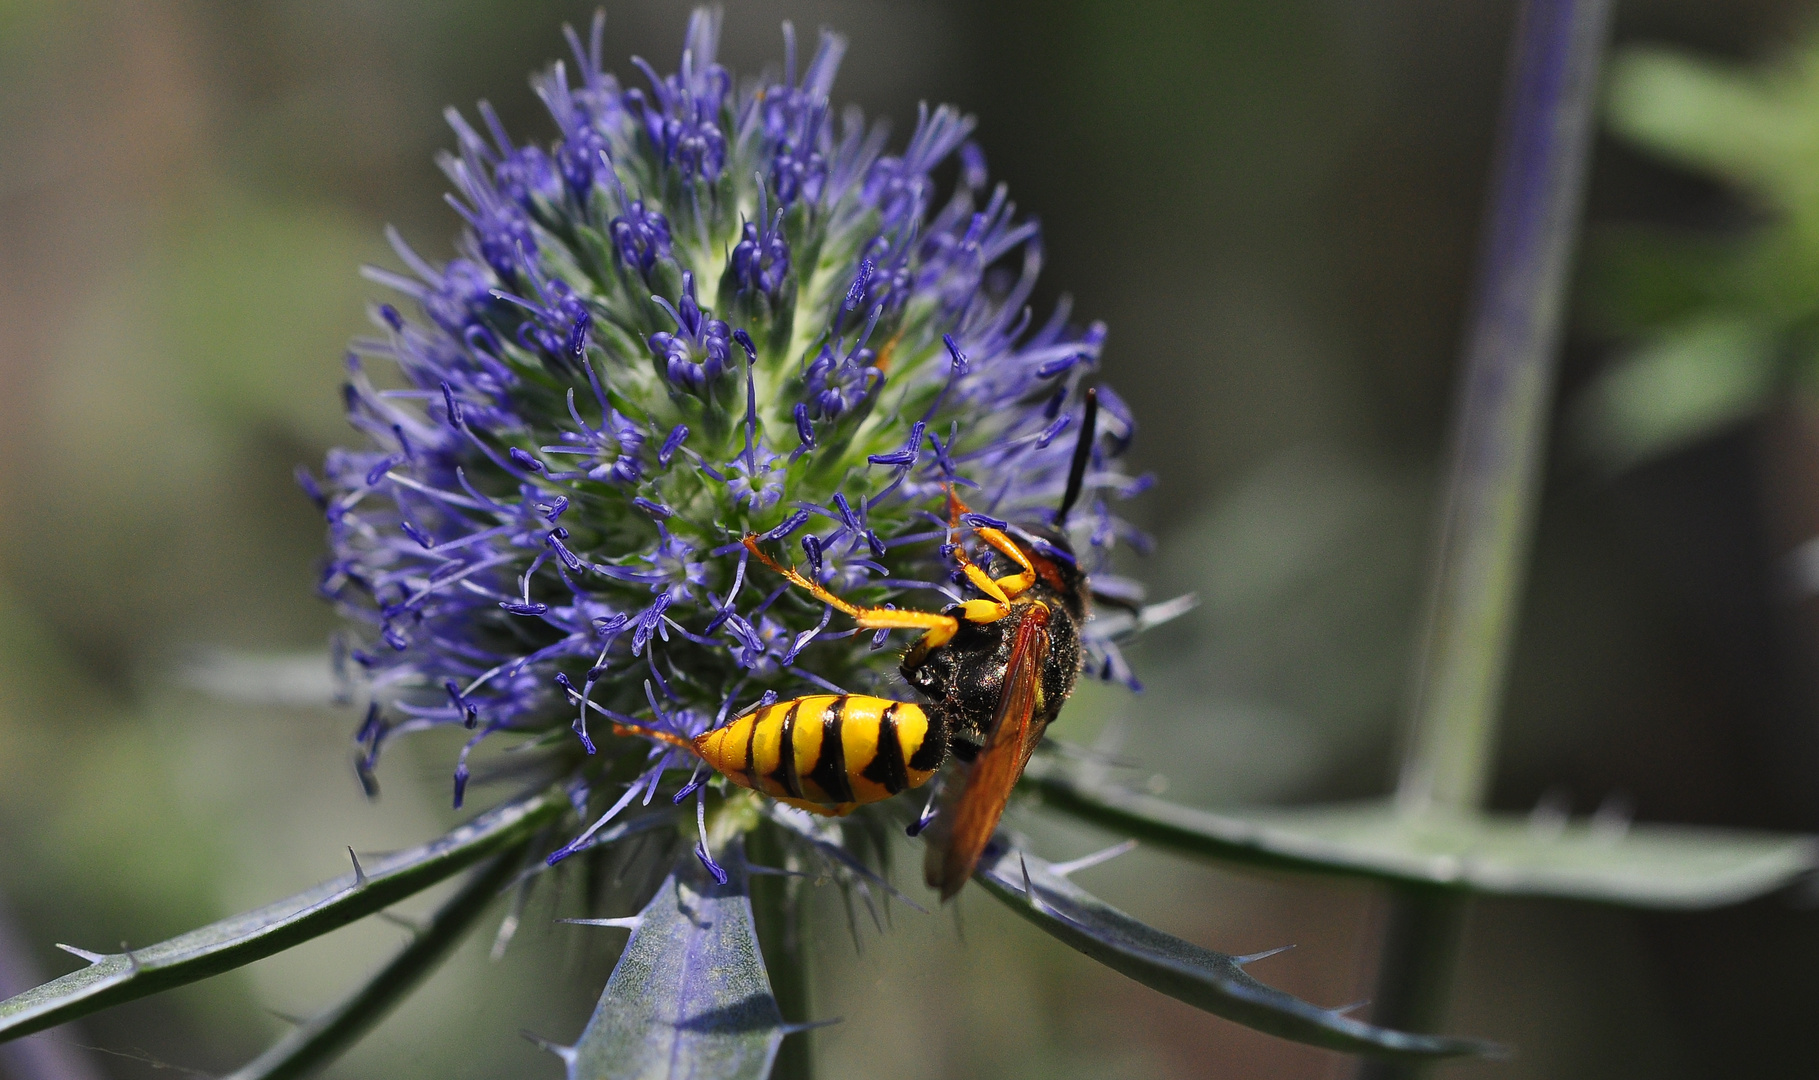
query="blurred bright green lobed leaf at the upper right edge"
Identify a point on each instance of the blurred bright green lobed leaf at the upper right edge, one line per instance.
(1725, 317)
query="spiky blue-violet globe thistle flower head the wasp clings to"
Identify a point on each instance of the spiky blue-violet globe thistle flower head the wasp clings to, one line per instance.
(705, 310)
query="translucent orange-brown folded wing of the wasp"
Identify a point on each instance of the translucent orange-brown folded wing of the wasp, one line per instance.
(970, 819)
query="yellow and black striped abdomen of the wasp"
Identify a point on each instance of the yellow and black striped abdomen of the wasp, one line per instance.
(834, 752)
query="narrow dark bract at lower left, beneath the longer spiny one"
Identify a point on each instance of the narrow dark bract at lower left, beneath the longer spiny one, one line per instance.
(323, 1039)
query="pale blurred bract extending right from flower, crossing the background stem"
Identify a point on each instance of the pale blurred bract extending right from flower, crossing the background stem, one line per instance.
(1502, 855)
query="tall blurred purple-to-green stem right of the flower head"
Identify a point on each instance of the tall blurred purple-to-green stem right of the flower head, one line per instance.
(1502, 425)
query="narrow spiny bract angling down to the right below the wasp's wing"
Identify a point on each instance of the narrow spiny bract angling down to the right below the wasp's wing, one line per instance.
(1185, 972)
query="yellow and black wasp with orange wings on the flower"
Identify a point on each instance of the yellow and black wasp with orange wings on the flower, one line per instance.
(992, 675)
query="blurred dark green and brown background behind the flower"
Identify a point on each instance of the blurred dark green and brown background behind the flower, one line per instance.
(1272, 203)
